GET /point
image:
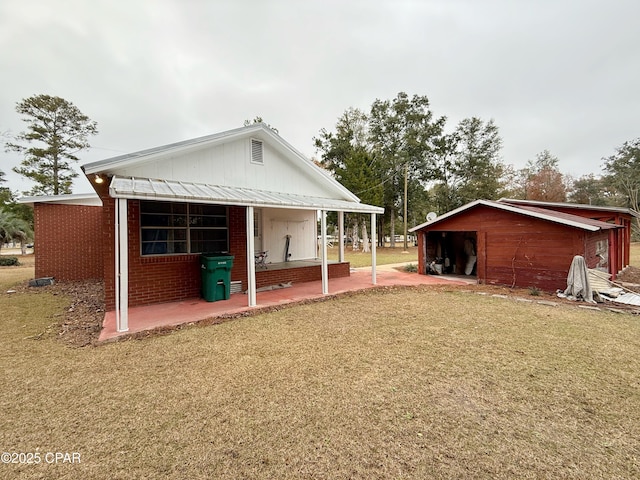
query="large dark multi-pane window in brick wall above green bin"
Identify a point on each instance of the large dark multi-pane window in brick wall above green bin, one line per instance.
(169, 228)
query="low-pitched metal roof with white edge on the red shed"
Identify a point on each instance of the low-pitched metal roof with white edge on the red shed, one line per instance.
(540, 213)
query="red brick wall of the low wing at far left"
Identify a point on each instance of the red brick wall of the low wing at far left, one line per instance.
(67, 241)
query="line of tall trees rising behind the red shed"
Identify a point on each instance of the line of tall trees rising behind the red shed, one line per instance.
(400, 146)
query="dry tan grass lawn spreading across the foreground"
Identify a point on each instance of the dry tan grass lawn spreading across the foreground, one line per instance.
(418, 383)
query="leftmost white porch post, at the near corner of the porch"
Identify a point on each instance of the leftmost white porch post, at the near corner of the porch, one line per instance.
(122, 266)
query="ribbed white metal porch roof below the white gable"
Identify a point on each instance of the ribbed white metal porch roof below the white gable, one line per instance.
(168, 190)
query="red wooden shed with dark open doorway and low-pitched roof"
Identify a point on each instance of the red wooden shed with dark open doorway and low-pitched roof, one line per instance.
(524, 244)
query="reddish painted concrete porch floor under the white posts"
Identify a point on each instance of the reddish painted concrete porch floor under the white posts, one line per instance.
(167, 315)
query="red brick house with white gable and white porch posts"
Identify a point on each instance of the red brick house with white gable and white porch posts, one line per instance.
(155, 211)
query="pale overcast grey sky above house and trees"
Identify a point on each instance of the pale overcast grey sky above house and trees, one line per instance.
(557, 75)
